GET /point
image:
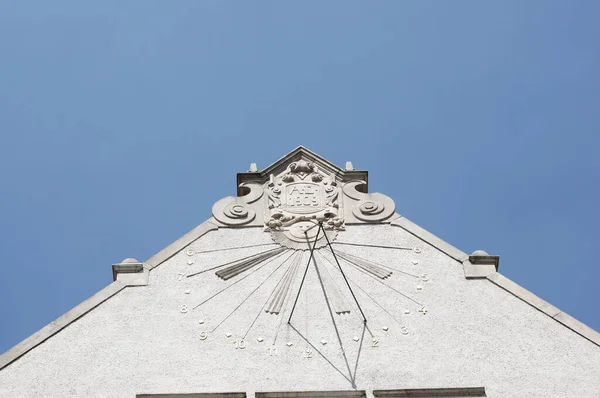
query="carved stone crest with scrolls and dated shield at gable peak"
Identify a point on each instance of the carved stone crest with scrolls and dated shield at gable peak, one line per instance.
(299, 191)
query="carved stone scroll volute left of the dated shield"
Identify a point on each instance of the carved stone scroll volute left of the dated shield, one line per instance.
(237, 211)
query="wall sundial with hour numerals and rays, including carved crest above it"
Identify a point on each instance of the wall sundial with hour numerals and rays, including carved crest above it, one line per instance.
(306, 212)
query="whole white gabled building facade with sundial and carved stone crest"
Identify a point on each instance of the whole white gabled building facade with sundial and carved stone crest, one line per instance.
(307, 285)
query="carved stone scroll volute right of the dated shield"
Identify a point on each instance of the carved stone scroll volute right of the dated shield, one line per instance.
(366, 207)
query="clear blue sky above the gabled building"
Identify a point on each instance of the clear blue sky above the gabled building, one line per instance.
(123, 122)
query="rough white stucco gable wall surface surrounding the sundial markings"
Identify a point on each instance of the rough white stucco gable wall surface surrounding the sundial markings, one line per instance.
(474, 333)
